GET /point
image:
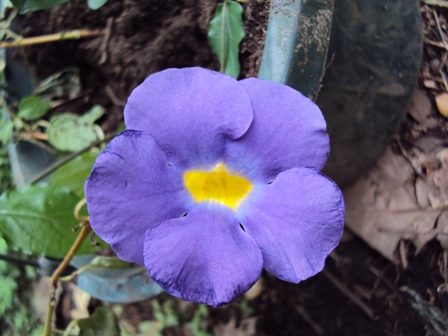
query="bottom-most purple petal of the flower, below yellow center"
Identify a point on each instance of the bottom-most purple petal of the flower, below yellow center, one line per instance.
(203, 257)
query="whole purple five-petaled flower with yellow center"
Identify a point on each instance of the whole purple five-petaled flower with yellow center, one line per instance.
(214, 180)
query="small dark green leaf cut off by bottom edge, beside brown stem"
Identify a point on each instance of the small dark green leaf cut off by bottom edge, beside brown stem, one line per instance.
(103, 322)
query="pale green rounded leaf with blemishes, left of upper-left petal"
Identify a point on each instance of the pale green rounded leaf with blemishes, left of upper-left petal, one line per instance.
(68, 132)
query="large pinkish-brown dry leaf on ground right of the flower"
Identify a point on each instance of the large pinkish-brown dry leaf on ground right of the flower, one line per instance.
(389, 204)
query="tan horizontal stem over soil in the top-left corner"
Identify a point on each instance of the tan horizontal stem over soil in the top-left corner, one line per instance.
(73, 34)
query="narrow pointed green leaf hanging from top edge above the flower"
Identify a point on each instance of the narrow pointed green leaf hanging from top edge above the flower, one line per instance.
(225, 34)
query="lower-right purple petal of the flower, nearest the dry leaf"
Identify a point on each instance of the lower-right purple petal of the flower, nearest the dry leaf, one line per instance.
(296, 221)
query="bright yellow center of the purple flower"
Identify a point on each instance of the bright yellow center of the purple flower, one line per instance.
(217, 185)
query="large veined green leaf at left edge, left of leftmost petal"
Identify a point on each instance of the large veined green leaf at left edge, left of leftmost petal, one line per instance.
(38, 219)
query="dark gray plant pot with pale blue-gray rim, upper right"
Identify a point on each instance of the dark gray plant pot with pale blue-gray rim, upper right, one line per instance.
(361, 75)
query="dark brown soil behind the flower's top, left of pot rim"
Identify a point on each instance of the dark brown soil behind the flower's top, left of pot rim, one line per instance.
(142, 37)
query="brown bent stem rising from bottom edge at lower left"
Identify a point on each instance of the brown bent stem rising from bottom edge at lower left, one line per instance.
(86, 229)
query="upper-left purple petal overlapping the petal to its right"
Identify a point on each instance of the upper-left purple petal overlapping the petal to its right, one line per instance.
(190, 112)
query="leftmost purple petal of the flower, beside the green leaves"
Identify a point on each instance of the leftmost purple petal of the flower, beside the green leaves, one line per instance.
(132, 188)
